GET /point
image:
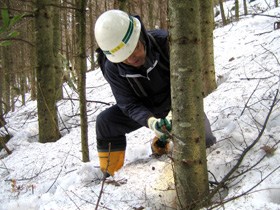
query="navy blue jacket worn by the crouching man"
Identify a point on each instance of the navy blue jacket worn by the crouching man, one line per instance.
(154, 79)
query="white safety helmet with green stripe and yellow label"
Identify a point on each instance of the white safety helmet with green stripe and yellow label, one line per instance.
(117, 34)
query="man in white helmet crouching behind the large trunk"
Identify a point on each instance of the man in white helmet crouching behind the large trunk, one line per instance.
(138, 72)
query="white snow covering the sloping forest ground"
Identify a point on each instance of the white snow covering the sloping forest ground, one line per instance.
(52, 176)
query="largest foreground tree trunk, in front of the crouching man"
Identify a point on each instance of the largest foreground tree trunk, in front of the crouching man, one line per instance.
(190, 166)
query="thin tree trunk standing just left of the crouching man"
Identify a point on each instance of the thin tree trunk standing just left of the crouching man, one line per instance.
(82, 67)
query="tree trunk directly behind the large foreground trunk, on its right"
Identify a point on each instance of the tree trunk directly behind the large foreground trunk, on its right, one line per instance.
(208, 67)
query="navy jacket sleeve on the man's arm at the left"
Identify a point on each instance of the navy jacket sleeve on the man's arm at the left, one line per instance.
(127, 100)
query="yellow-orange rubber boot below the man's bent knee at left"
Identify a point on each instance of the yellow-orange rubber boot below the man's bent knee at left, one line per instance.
(115, 162)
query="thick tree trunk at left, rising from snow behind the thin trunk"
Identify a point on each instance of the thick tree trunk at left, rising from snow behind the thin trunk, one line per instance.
(46, 100)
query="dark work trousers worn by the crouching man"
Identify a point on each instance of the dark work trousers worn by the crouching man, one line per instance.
(112, 125)
